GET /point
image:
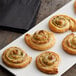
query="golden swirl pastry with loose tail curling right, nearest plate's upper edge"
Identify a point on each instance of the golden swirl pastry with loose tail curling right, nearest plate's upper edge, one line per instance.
(62, 23)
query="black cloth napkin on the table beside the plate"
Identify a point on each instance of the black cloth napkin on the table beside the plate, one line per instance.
(18, 15)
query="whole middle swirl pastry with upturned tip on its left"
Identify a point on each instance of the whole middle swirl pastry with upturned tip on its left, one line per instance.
(40, 40)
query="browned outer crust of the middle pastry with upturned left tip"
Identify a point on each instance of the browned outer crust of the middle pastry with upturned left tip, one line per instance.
(28, 42)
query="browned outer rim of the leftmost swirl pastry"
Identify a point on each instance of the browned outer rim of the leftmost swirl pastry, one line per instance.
(15, 66)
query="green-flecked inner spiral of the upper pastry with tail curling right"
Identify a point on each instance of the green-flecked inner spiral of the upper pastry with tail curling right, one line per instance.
(61, 21)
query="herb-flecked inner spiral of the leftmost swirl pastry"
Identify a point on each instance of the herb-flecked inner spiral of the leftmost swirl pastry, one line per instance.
(15, 55)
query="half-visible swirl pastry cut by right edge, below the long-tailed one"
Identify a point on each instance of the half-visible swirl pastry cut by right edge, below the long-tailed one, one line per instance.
(69, 44)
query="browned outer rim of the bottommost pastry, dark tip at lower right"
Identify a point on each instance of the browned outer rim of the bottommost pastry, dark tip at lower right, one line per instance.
(54, 70)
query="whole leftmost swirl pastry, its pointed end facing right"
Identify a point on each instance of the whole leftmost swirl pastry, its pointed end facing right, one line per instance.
(15, 57)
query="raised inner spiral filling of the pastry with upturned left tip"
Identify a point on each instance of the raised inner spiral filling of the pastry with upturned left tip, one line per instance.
(41, 37)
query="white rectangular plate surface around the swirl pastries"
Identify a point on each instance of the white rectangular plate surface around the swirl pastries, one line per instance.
(66, 60)
